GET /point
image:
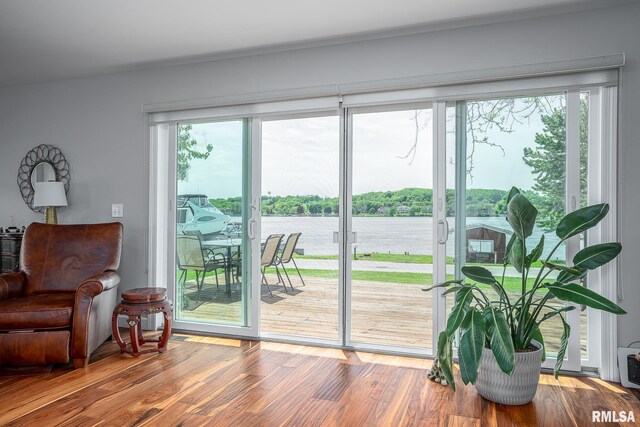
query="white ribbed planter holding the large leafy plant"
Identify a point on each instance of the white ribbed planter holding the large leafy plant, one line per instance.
(515, 389)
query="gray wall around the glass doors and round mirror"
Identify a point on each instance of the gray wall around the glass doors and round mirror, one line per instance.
(98, 123)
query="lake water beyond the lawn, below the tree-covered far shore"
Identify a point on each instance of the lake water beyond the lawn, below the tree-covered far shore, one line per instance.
(383, 234)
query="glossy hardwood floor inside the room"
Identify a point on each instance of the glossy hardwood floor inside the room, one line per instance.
(220, 382)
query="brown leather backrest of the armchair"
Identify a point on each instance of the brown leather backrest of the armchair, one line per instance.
(58, 258)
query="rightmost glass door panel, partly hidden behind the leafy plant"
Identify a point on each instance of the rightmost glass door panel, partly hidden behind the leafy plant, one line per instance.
(501, 143)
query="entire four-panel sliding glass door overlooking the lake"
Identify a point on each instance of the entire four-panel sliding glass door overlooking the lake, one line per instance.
(323, 224)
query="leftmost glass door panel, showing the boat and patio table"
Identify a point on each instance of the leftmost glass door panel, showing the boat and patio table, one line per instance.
(212, 252)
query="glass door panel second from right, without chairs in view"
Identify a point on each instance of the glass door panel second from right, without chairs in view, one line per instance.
(391, 251)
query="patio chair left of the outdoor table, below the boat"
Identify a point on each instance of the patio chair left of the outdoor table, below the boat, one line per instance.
(191, 256)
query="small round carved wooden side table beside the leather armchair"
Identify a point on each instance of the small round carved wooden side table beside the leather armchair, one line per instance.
(142, 302)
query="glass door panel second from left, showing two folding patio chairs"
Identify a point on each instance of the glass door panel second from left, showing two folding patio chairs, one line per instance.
(300, 200)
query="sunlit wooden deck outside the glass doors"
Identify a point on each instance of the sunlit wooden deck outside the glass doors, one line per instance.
(394, 314)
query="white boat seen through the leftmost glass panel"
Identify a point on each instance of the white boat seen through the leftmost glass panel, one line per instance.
(196, 215)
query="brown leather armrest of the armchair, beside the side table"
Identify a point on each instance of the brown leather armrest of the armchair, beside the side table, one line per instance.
(89, 289)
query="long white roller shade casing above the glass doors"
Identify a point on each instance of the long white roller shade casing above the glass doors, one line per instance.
(515, 80)
